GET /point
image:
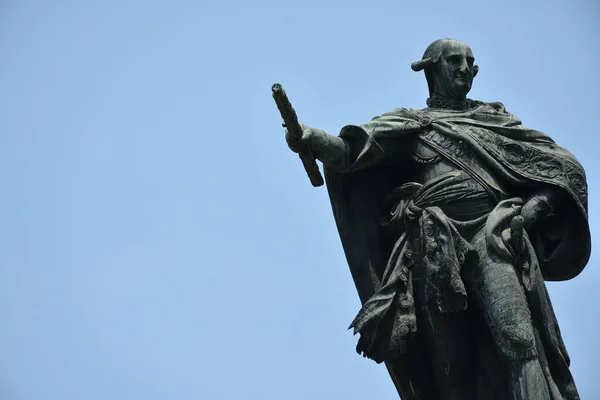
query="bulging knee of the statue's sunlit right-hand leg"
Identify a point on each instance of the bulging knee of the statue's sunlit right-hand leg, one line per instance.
(517, 340)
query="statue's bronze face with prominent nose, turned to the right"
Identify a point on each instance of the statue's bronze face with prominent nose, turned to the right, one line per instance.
(455, 70)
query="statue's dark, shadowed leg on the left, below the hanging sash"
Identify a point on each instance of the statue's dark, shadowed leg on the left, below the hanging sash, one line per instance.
(445, 339)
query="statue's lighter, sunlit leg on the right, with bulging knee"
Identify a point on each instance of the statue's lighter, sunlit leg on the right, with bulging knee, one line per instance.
(501, 297)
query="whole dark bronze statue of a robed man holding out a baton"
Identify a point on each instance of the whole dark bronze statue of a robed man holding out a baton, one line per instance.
(451, 218)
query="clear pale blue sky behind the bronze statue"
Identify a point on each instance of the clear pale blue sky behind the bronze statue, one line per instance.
(159, 241)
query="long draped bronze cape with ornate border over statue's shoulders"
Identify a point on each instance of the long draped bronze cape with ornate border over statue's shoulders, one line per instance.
(525, 160)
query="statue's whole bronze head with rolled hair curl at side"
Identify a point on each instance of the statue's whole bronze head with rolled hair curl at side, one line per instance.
(449, 69)
